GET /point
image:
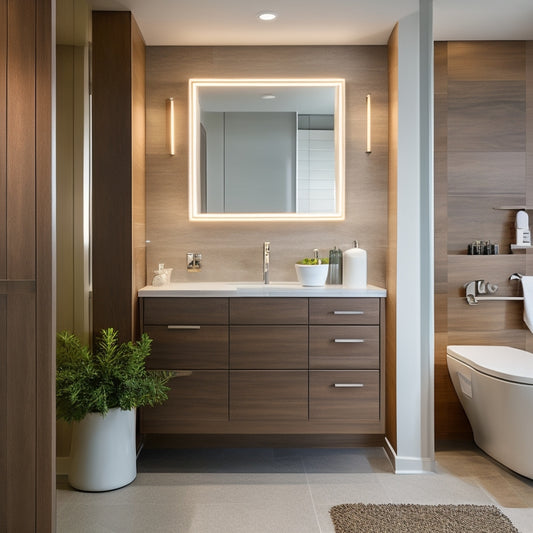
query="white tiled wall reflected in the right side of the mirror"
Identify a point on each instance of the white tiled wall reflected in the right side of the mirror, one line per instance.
(316, 171)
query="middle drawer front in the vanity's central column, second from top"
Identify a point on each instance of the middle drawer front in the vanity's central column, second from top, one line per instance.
(268, 347)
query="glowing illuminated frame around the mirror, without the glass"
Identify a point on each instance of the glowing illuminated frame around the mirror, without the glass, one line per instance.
(194, 152)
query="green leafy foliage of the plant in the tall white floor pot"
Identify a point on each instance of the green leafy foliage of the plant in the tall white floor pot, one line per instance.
(112, 375)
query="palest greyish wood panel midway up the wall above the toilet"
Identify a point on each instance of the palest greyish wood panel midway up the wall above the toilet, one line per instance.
(482, 173)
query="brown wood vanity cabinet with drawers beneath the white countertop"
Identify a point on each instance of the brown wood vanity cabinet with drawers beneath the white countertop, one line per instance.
(267, 365)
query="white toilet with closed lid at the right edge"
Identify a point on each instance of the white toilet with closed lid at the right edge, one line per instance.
(495, 387)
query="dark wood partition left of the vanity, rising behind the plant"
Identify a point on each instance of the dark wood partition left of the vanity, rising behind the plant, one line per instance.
(118, 218)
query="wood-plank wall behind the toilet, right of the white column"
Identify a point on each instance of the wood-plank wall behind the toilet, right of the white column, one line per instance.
(483, 159)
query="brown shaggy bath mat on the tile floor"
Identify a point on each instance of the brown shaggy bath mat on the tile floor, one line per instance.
(410, 518)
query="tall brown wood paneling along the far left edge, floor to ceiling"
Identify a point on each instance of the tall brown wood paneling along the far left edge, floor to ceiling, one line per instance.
(27, 284)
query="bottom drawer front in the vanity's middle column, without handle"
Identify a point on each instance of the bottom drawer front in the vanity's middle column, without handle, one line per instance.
(268, 395)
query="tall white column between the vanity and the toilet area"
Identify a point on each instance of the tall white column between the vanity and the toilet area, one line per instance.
(414, 326)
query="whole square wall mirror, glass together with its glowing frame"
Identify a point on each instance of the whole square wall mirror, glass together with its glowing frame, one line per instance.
(266, 149)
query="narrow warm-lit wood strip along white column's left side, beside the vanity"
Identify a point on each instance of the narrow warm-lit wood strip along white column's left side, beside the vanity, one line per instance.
(391, 271)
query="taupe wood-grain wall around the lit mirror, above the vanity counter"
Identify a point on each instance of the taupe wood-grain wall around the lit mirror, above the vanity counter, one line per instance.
(233, 250)
